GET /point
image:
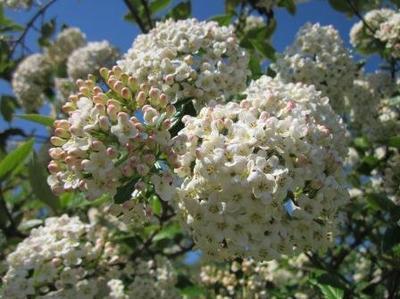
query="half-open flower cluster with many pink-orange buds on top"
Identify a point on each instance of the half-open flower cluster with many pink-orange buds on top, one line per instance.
(110, 139)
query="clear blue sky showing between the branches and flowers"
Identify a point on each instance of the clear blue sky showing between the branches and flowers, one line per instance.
(103, 19)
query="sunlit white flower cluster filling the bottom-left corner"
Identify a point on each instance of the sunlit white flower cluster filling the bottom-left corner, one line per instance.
(65, 258)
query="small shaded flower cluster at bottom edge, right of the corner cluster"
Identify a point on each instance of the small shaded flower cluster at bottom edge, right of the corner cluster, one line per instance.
(154, 279)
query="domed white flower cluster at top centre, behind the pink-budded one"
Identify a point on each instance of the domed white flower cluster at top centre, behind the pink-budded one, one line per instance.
(189, 59)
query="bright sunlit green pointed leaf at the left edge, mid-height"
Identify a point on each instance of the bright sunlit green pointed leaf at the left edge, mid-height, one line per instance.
(16, 158)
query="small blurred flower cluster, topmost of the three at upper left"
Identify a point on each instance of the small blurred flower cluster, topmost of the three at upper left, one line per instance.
(67, 41)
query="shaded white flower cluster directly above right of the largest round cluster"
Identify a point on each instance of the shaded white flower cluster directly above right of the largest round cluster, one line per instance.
(319, 57)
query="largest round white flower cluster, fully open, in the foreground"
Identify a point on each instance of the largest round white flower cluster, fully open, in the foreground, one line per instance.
(264, 177)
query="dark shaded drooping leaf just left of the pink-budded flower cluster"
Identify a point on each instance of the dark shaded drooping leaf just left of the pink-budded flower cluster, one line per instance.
(38, 179)
